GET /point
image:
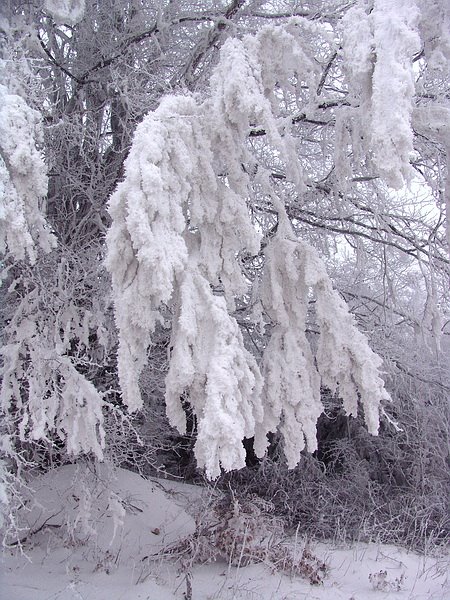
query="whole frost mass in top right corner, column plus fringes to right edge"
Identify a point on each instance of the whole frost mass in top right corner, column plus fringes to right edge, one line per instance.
(387, 97)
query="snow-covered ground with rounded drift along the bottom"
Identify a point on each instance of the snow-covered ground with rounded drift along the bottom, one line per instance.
(139, 518)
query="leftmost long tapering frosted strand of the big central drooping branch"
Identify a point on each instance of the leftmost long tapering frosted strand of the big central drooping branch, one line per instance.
(146, 247)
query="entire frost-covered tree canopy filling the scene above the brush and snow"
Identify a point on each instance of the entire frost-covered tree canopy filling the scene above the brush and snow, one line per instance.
(255, 190)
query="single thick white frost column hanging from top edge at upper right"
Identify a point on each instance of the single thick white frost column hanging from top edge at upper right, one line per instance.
(379, 49)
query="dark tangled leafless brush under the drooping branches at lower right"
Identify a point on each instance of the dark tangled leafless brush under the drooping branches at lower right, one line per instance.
(391, 488)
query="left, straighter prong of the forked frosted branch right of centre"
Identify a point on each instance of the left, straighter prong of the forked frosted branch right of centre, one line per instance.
(291, 392)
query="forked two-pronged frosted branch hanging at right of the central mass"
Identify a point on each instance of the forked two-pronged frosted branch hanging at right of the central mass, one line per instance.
(345, 362)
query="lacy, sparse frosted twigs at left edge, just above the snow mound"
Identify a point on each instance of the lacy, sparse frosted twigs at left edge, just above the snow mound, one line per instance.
(39, 383)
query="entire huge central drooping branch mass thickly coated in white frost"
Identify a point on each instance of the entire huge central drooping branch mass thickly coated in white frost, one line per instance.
(181, 221)
